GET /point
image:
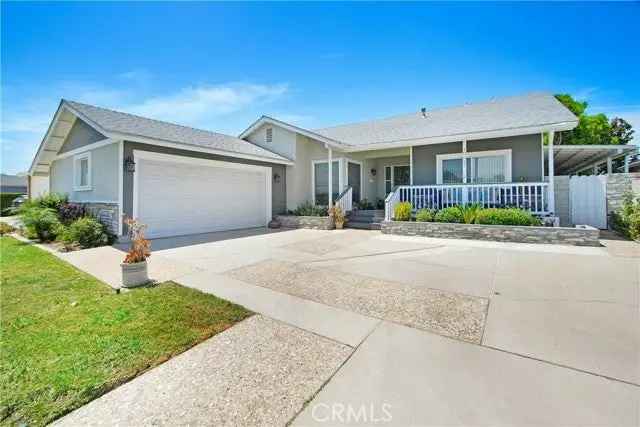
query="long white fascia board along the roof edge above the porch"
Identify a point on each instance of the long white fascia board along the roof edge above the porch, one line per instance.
(500, 133)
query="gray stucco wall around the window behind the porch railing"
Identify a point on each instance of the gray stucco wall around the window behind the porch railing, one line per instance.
(526, 157)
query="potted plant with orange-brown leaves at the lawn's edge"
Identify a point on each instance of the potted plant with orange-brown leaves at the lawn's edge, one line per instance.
(134, 266)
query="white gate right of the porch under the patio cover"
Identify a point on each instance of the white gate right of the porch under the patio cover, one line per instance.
(588, 200)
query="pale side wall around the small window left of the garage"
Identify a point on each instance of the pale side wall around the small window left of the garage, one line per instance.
(104, 176)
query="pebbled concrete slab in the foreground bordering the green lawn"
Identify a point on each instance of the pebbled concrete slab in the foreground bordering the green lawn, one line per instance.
(259, 372)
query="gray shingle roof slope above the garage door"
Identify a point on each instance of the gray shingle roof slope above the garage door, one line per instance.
(125, 123)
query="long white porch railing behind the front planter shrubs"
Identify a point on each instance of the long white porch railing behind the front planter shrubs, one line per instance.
(532, 196)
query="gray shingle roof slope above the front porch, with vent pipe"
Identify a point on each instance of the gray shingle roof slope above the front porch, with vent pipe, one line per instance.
(534, 109)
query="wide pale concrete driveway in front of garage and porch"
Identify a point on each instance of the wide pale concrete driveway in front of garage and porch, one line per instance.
(441, 331)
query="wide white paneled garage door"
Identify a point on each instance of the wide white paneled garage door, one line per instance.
(176, 195)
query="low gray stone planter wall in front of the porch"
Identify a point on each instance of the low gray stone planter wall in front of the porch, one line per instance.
(586, 236)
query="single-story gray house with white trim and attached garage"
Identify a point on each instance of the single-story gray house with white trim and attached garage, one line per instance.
(180, 180)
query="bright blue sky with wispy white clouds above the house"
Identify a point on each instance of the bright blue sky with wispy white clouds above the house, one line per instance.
(219, 66)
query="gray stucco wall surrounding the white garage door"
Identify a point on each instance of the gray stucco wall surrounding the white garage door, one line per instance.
(278, 189)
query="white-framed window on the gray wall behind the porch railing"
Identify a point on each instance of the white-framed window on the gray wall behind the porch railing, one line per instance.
(482, 167)
